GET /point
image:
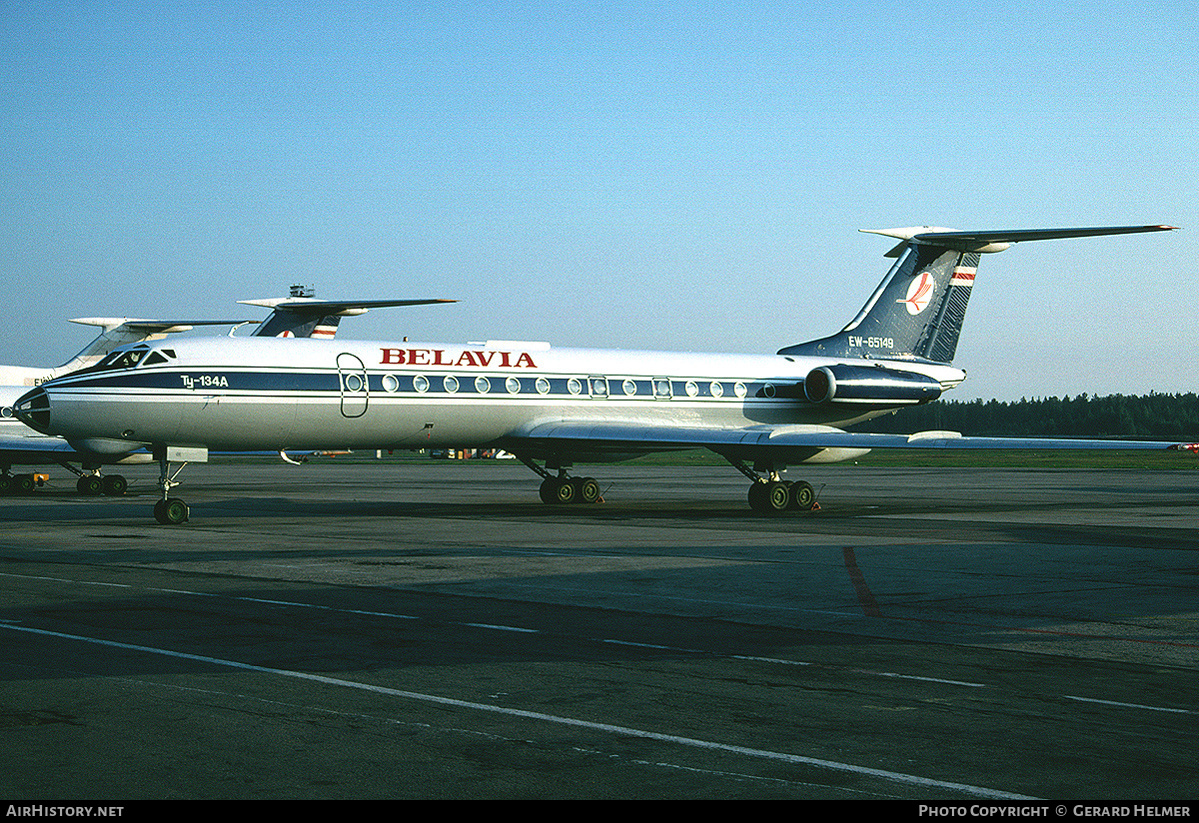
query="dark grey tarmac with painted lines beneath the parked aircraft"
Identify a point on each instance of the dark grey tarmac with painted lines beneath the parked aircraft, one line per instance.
(431, 630)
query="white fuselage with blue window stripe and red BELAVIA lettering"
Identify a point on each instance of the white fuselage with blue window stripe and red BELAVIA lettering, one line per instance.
(263, 394)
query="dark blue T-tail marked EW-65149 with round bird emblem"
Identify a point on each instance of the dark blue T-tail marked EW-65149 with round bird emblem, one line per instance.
(917, 314)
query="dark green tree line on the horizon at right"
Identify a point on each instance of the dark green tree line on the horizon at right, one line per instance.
(1154, 416)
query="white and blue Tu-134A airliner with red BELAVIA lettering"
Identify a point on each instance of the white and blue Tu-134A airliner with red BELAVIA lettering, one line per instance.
(553, 407)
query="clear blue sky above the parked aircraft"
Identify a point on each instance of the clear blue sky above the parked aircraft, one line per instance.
(666, 176)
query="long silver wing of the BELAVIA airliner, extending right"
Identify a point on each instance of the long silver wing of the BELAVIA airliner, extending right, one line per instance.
(796, 443)
